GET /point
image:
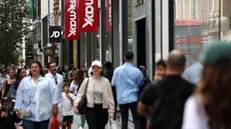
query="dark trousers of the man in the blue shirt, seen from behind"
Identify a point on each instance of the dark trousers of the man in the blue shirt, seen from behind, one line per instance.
(124, 108)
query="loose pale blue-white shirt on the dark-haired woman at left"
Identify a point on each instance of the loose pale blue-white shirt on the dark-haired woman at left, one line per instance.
(37, 97)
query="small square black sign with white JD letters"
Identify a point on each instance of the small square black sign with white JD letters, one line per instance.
(55, 34)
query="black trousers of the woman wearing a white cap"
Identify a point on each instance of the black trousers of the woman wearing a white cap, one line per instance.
(97, 117)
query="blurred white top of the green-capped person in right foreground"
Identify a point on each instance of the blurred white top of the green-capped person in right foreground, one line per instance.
(194, 115)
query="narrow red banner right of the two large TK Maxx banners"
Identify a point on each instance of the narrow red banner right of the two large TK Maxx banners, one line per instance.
(108, 16)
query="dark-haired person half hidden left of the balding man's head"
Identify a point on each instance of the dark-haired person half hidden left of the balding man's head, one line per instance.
(160, 70)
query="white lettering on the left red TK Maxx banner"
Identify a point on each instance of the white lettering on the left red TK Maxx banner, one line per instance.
(73, 17)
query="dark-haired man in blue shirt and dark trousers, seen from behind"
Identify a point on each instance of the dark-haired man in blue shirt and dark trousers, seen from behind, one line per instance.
(127, 80)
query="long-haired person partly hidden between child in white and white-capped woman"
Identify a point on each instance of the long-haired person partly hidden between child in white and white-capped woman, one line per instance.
(74, 88)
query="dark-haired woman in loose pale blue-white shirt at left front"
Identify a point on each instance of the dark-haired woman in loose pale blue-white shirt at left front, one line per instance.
(37, 99)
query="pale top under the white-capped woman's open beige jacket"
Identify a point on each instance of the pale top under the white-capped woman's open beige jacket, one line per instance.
(98, 92)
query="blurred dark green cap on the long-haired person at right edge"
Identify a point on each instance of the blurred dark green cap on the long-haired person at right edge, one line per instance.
(216, 51)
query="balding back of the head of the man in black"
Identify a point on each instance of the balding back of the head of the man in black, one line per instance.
(177, 60)
